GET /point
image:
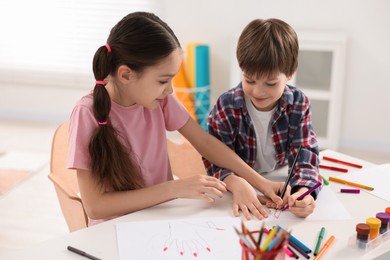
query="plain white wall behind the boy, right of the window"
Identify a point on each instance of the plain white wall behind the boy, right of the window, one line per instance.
(365, 120)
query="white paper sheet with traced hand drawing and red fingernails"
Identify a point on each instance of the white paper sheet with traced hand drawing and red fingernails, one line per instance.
(211, 238)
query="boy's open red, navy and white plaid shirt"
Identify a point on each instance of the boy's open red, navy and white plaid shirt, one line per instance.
(229, 121)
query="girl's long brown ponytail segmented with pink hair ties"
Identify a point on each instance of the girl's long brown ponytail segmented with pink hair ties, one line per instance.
(112, 163)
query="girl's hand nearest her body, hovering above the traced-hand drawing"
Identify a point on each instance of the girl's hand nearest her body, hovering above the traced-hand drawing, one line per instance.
(201, 187)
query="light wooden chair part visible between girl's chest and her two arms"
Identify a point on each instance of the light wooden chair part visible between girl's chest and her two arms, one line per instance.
(184, 159)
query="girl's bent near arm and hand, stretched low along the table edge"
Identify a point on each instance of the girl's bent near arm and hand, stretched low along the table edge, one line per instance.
(100, 204)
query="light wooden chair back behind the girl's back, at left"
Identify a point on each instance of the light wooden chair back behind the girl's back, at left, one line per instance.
(65, 181)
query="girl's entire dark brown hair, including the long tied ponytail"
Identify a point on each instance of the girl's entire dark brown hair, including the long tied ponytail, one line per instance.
(138, 41)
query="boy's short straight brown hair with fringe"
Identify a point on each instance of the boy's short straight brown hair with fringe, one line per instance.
(268, 47)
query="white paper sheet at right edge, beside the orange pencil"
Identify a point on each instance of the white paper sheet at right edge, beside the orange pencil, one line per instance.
(377, 177)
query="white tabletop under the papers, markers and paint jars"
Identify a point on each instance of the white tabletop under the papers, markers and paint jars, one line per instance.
(101, 241)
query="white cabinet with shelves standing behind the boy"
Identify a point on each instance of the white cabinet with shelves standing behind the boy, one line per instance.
(320, 75)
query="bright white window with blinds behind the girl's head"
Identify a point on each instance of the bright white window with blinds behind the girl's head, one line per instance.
(52, 42)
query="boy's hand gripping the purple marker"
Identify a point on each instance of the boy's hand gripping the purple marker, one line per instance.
(301, 208)
